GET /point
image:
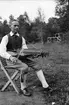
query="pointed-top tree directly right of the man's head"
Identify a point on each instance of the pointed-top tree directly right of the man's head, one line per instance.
(24, 25)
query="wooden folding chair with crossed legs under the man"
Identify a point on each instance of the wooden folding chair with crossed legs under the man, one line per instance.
(11, 79)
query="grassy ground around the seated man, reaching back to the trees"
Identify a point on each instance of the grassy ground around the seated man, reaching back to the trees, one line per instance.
(56, 71)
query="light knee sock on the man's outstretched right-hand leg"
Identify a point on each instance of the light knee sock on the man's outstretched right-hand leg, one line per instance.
(41, 77)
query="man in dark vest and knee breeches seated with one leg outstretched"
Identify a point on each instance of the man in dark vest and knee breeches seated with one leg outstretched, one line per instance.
(14, 42)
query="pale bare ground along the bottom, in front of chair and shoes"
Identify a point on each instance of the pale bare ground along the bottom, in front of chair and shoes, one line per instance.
(11, 98)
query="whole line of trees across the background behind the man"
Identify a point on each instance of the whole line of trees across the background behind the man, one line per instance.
(39, 30)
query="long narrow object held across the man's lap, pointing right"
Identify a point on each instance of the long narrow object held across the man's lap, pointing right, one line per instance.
(30, 53)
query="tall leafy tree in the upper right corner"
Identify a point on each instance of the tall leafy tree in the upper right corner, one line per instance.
(62, 10)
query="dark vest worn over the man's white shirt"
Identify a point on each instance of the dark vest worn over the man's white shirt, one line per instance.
(14, 42)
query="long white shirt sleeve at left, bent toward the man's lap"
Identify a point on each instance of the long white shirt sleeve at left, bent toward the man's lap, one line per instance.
(3, 49)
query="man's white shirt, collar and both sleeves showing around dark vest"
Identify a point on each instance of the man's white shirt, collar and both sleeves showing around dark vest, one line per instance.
(3, 49)
